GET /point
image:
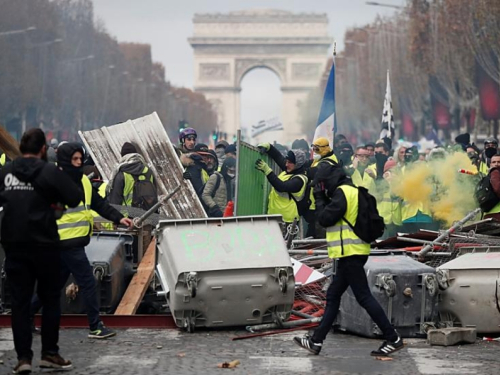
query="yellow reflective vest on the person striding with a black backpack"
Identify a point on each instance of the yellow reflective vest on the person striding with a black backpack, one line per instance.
(340, 238)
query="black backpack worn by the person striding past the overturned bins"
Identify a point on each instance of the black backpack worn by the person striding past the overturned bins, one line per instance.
(369, 224)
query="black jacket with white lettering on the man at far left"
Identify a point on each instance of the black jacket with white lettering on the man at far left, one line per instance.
(29, 189)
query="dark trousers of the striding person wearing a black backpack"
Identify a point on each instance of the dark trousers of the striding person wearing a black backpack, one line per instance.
(350, 272)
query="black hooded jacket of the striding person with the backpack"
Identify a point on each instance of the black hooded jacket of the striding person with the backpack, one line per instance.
(331, 203)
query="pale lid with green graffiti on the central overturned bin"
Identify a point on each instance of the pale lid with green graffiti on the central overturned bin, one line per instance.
(222, 243)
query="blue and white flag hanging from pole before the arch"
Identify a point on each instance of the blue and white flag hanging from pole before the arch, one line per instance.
(327, 126)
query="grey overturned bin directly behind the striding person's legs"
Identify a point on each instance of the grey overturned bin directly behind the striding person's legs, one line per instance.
(406, 289)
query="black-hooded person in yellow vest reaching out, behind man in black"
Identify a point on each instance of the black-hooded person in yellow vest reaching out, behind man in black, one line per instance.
(75, 229)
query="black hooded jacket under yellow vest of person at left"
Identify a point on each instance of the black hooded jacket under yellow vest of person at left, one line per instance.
(98, 204)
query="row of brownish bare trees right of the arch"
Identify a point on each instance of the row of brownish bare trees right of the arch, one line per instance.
(443, 57)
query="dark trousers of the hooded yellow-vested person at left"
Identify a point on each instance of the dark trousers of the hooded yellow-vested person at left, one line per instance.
(74, 261)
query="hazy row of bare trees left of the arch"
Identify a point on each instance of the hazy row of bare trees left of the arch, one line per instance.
(61, 70)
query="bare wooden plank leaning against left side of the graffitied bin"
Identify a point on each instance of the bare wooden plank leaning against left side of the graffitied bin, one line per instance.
(139, 284)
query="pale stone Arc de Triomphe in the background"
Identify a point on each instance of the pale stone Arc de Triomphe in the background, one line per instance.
(227, 46)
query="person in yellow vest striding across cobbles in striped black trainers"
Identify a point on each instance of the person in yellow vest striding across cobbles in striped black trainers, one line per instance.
(336, 206)
